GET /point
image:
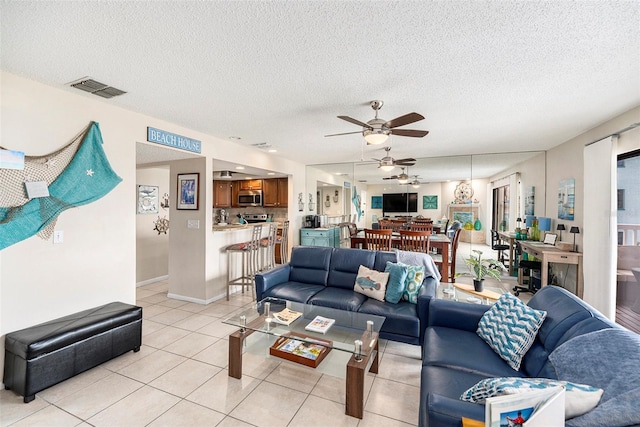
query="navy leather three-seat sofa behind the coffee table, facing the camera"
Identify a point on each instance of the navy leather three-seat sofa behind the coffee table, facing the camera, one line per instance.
(326, 276)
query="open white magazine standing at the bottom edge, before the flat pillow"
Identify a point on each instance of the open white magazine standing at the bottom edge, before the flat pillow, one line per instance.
(537, 408)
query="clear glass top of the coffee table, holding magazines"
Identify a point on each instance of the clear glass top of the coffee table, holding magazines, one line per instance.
(348, 327)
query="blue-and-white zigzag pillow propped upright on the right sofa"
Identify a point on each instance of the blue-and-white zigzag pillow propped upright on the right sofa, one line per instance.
(510, 327)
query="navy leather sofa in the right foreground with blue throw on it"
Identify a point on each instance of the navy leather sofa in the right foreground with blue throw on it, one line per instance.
(575, 343)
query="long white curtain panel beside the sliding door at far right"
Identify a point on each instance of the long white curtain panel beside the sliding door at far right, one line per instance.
(600, 222)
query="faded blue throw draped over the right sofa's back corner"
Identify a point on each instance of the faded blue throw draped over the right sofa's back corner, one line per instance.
(608, 359)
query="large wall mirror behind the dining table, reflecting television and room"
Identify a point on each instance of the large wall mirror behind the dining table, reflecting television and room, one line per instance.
(484, 191)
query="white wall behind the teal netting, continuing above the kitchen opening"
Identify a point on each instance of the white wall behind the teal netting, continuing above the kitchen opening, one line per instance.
(96, 264)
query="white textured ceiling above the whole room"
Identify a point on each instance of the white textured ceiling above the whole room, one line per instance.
(489, 76)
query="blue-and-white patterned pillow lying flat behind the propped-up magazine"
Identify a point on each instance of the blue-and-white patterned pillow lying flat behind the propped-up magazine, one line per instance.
(579, 398)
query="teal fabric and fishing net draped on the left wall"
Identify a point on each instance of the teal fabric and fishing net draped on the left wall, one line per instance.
(84, 179)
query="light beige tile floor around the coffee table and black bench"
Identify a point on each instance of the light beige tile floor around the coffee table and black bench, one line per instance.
(180, 378)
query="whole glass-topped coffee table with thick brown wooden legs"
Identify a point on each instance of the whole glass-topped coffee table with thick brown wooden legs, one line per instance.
(351, 342)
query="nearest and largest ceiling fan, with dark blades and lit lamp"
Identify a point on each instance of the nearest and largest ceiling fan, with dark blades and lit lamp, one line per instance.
(376, 131)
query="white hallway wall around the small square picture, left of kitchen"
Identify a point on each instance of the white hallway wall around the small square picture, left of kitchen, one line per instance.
(152, 248)
